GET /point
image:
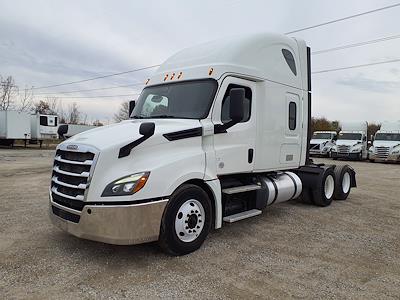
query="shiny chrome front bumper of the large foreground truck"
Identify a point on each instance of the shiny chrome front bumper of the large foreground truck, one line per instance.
(111, 224)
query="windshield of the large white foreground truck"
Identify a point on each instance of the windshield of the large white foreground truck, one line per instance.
(182, 100)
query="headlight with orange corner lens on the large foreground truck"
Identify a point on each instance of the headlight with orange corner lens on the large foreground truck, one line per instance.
(126, 185)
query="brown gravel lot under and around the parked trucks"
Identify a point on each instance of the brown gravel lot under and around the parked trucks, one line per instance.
(293, 250)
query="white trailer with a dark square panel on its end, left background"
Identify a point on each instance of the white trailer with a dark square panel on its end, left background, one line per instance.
(44, 127)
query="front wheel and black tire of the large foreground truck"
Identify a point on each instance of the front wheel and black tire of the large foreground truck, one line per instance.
(186, 220)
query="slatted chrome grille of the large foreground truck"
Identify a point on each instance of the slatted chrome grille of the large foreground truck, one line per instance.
(71, 176)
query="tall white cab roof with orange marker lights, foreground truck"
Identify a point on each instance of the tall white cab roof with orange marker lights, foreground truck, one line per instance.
(262, 56)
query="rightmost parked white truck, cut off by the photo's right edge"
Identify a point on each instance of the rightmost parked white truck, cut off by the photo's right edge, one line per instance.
(386, 144)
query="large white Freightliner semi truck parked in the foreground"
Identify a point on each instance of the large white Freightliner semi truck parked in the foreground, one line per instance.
(219, 133)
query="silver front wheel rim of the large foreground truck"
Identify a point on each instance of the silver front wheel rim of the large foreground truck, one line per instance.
(189, 220)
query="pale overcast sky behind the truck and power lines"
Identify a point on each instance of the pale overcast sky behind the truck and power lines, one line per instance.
(50, 42)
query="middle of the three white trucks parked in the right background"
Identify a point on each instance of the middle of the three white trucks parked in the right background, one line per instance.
(351, 142)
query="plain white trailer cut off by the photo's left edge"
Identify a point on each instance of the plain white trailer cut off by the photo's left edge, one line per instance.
(14, 125)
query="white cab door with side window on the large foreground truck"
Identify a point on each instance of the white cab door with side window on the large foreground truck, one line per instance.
(235, 148)
